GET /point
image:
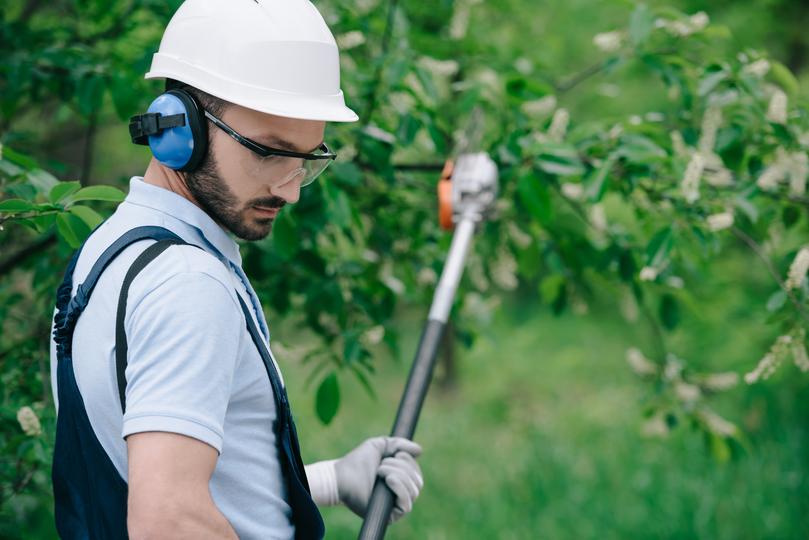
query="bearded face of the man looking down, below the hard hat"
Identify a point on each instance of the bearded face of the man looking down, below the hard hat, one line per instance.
(239, 189)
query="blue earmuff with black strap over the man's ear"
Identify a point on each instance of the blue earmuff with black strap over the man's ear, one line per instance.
(174, 128)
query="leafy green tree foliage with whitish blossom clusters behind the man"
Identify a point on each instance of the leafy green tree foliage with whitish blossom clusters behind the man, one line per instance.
(644, 201)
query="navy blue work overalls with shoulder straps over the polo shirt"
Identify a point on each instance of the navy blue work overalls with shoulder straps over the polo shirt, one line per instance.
(90, 496)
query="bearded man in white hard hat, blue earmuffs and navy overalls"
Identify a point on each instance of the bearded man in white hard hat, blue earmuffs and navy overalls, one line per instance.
(172, 415)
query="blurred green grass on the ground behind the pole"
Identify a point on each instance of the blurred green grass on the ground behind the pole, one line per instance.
(541, 438)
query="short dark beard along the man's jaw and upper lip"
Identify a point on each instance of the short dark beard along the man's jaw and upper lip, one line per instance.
(218, 201)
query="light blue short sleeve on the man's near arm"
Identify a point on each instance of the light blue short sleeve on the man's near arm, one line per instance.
(183, 339)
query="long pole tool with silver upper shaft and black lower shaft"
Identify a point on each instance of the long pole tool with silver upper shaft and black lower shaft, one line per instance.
(474, 187)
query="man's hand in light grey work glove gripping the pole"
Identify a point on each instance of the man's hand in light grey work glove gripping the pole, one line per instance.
(392, 458)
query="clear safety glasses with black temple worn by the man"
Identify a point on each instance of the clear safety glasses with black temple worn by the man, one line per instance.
(290, 164)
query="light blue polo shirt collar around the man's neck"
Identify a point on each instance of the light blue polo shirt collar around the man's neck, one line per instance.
(180, 208)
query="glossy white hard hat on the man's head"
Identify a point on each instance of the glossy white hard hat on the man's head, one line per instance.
(273, 56)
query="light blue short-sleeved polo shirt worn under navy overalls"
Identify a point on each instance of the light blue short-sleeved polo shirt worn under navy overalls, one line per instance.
(192, 367)
